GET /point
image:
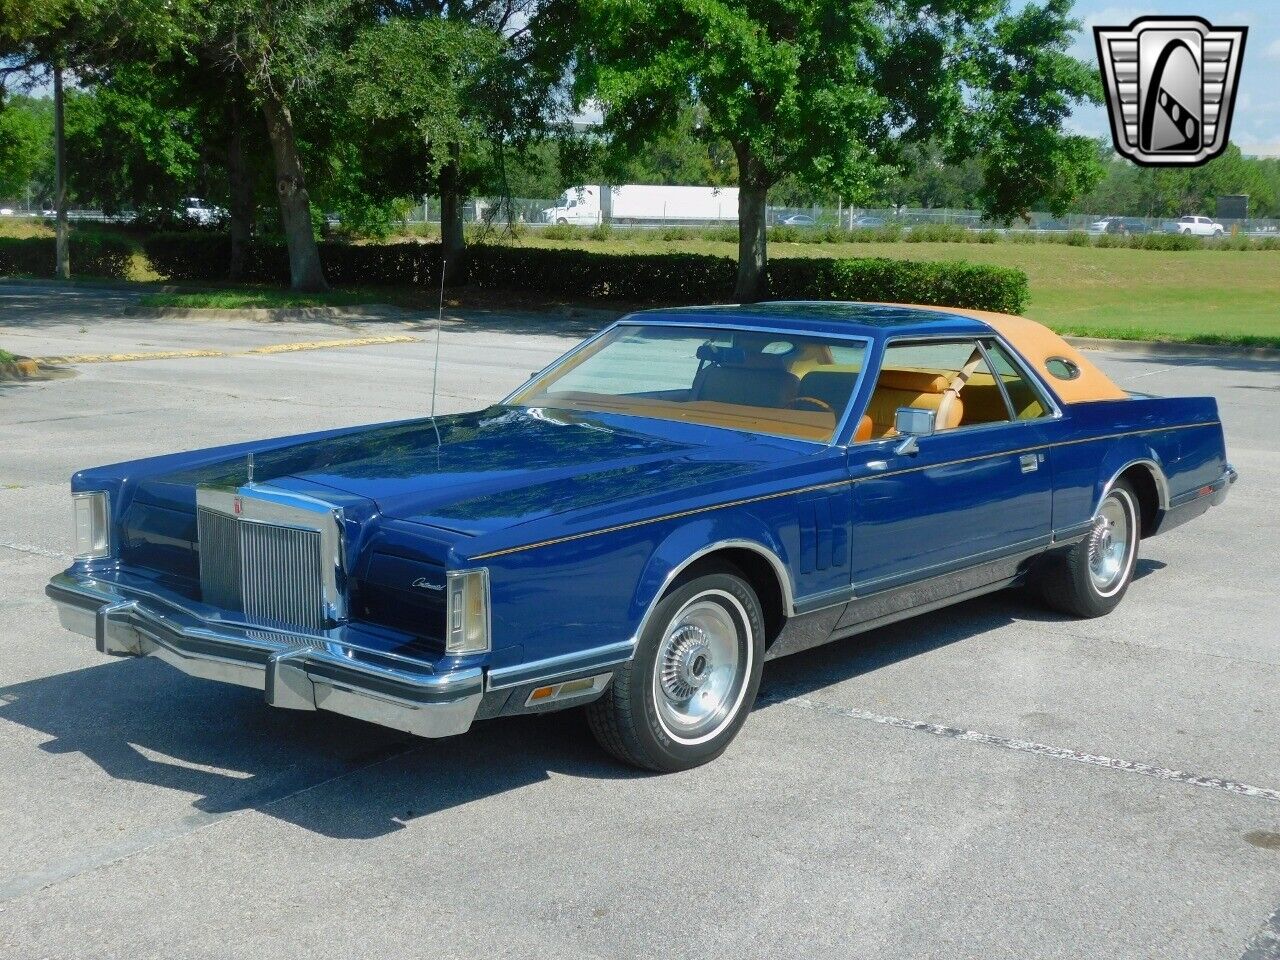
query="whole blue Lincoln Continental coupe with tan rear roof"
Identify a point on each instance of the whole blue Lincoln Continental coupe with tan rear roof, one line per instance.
(644, 523)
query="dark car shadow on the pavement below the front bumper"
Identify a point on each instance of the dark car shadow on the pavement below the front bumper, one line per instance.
(143, 723)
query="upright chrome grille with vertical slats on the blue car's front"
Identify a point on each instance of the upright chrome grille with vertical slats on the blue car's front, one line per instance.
(271, 573)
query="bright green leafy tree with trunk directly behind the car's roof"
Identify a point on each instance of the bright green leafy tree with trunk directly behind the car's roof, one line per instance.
(831, 92)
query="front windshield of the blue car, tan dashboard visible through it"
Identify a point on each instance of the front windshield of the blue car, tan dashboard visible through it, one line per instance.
(767, 383)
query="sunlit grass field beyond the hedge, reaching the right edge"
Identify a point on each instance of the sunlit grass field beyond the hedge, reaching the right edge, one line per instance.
(1203, 296)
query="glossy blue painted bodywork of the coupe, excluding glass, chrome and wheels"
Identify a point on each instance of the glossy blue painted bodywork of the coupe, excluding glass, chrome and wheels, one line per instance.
(584, 519)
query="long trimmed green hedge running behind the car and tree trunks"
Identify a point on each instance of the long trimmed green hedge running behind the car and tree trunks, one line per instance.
(646, 278)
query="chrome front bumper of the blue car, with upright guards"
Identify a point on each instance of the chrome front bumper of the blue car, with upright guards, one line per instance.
(296, 673)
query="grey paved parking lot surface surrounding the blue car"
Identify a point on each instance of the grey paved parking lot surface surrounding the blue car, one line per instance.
(991, 781)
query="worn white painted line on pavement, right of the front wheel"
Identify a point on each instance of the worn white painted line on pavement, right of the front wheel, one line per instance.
(1031, 747)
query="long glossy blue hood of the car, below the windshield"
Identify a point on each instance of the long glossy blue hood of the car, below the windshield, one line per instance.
(479, 473)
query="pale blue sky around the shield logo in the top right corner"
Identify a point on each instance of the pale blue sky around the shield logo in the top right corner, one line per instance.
(1256, 125)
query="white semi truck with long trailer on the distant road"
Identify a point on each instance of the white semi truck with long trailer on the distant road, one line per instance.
(639, 204)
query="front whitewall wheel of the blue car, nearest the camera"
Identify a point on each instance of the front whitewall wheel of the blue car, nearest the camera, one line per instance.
(694, 678)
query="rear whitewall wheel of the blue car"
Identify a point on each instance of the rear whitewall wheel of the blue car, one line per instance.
(1092, 578)
